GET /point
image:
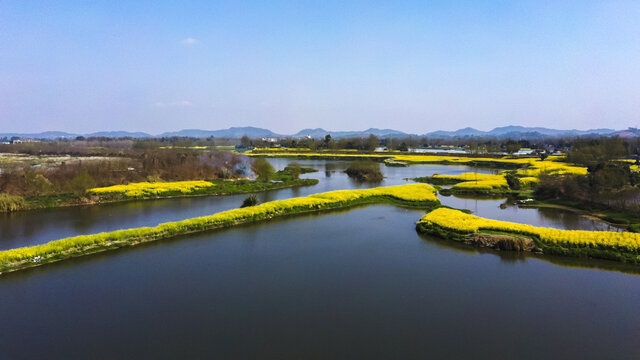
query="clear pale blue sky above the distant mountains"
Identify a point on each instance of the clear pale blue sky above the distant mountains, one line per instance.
(415, 66)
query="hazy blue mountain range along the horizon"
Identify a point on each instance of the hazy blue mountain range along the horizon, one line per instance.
(512, 132)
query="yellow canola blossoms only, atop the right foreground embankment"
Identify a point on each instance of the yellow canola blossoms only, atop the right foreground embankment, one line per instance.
(458, 221)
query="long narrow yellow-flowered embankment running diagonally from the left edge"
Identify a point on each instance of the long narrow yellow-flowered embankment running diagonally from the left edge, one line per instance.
(415, 195)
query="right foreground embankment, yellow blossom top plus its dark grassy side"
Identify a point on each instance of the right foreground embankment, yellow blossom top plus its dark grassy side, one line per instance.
(456, 225)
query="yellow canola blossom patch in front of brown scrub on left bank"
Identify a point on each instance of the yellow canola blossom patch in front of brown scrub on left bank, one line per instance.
(151, 189)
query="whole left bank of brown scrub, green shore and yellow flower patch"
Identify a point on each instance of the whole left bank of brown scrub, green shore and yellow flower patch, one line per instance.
(45, 182)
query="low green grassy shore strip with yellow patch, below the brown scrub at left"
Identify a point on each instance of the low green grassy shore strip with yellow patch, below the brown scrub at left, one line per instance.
(160, 190)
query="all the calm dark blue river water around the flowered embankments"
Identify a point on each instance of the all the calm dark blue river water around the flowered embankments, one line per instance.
(349, 284)
